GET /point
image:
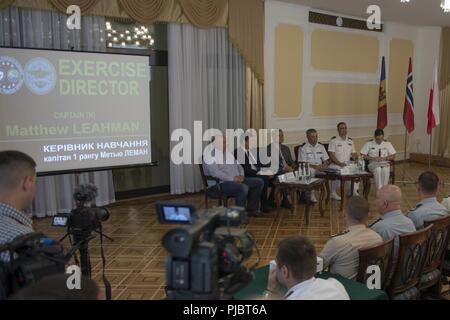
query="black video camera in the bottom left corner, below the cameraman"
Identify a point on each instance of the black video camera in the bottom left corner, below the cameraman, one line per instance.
(27, 259)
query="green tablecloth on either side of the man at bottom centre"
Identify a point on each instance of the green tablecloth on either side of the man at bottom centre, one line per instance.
(356, 290)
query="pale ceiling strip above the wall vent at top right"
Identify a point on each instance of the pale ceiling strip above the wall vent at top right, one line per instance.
(416, 12)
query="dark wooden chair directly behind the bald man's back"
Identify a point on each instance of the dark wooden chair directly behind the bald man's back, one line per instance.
(413, 252)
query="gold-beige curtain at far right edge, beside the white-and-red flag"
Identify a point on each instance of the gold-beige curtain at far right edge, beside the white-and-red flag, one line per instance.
(442, 143)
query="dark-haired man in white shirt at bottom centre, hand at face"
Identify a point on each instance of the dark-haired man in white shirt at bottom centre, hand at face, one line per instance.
(295, 270)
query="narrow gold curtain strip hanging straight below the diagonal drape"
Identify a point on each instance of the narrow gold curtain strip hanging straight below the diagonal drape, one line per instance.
(254, 101)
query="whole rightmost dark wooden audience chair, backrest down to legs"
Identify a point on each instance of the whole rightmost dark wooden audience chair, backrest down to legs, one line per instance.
(432, 271)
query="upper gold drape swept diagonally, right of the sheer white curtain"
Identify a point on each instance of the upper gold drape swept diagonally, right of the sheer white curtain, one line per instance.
(246, 28)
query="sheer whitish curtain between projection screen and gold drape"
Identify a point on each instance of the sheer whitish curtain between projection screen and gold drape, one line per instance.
(206, 83)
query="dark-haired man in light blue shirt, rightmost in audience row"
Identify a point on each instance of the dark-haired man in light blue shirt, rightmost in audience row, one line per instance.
(428, 208)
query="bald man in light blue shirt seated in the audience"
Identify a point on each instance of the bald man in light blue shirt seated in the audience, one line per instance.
(393, 222)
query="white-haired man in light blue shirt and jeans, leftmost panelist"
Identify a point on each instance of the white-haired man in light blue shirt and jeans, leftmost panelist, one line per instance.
(220, 164)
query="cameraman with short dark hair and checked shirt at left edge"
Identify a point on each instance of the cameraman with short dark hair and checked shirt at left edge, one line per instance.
(17, 189)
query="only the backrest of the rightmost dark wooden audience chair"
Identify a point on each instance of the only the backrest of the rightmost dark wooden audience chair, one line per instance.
(440, 236)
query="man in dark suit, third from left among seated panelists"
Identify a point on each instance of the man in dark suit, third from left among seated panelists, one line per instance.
(286, 163)
